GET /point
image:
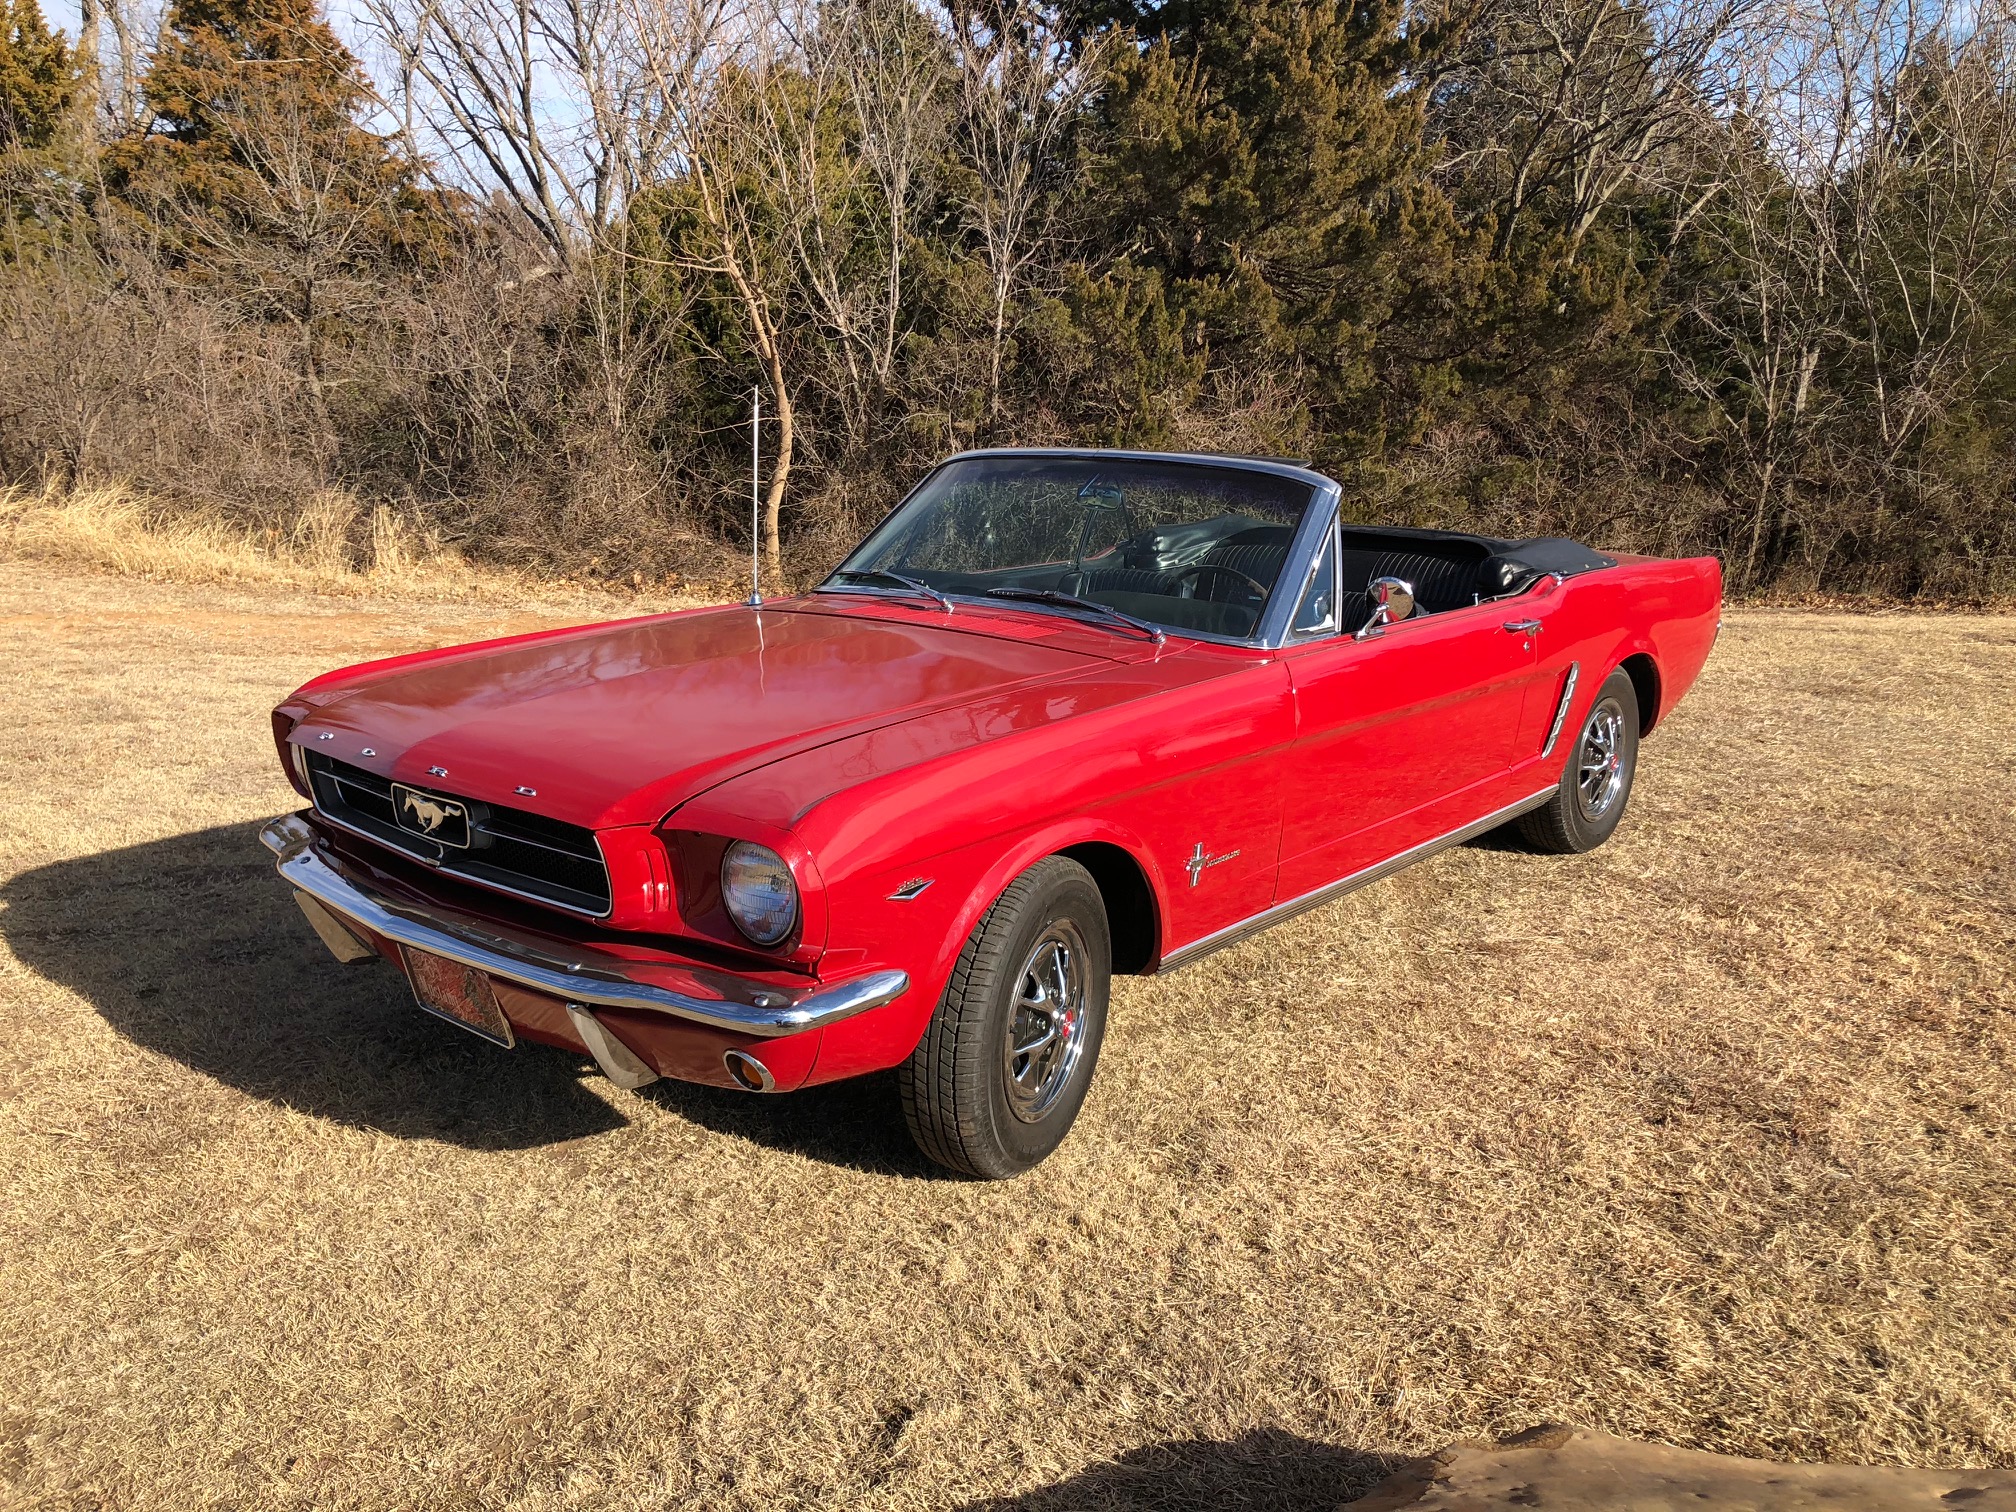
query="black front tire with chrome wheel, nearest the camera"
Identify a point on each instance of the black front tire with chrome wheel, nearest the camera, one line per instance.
(965, 1100)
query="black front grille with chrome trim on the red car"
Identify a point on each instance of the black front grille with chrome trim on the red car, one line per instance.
(523, 854)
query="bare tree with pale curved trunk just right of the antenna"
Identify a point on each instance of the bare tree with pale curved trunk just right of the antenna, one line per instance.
(805, 146)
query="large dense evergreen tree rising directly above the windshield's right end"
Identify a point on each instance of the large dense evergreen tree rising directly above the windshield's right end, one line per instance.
(1267, 160)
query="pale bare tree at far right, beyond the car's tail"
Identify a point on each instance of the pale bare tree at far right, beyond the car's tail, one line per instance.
(1864, 209)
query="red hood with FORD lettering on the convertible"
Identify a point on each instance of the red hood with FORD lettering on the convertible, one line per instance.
(624, 725)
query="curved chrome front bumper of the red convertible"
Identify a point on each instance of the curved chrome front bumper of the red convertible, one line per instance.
(582, 977)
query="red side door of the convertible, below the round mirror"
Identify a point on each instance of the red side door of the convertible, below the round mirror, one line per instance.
(1402, 737)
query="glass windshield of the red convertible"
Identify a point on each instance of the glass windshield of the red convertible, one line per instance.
(1184, 545)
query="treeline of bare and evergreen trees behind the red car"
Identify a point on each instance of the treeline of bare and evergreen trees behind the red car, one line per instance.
(1678, 275)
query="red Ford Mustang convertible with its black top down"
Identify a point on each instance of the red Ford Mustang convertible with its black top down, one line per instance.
(1061, 715)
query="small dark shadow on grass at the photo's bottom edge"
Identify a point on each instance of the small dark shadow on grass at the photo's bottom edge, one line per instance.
(1263, 1471)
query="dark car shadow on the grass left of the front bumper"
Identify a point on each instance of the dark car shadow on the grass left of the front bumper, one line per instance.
(193, 949)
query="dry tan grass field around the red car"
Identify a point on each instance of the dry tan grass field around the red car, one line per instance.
(1707, 1138)
